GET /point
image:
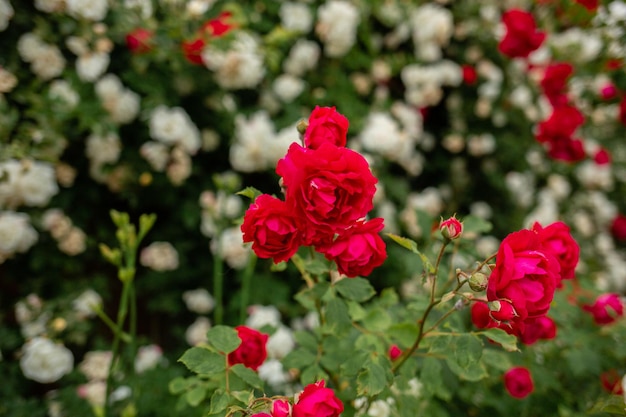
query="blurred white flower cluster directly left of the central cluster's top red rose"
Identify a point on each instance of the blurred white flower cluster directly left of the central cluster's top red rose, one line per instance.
(257, 146)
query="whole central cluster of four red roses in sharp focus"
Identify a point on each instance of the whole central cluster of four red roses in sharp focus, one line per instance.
(329, 191)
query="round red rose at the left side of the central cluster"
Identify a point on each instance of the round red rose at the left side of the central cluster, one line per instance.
(272, 228)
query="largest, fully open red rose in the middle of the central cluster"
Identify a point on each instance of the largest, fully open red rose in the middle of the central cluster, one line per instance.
(329, 188)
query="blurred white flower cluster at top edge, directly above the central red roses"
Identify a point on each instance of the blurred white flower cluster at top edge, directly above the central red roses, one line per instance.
(337, 22)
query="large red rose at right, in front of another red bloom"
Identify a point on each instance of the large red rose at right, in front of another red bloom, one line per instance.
(525, 276)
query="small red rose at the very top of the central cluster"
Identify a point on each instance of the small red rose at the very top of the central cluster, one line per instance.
(326, 125)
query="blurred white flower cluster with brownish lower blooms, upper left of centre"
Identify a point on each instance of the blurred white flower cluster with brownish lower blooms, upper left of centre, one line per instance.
(176, 138)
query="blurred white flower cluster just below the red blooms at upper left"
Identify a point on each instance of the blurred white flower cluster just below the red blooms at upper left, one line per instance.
(241, 66)
